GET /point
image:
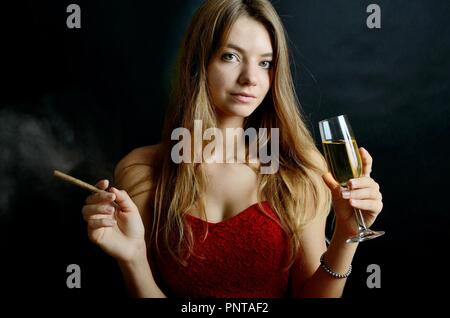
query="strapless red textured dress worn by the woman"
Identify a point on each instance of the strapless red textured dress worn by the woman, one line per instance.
(244, 256)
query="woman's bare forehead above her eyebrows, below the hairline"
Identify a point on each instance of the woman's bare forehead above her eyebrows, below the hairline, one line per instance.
(250, 35)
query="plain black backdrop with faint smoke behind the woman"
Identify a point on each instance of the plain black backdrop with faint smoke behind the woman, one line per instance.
(78, 100)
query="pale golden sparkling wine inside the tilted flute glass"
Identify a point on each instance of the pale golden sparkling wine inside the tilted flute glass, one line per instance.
(343, 160)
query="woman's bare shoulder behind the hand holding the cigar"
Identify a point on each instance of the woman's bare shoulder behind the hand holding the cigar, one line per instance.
(134, 172)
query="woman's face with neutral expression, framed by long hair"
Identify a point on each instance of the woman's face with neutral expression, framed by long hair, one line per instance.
(239, 73)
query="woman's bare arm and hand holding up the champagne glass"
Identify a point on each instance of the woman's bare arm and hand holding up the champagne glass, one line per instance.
(309, 278)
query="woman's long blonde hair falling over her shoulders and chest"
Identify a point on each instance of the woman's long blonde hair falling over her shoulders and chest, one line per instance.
(296, 192)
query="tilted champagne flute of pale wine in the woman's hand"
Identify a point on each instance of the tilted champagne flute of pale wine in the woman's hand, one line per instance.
(342, 155)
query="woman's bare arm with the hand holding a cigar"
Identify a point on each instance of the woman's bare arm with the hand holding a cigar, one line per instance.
(120, 231)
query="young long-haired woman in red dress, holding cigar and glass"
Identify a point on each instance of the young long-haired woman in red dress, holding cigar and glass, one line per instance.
(220, 229)
